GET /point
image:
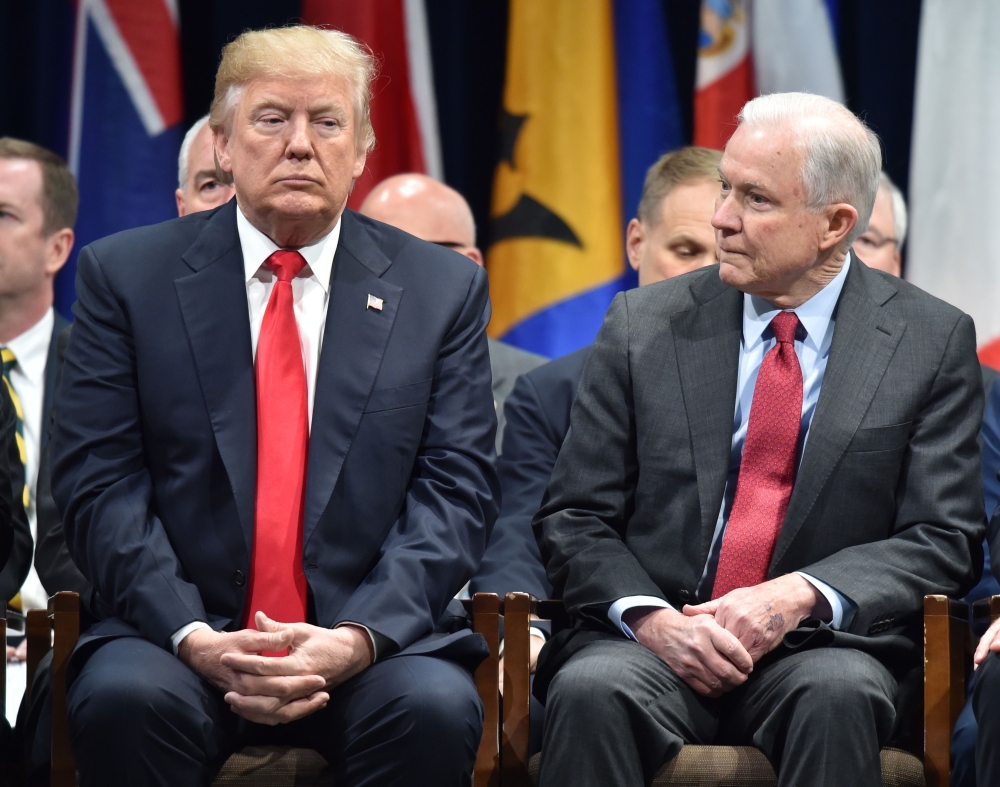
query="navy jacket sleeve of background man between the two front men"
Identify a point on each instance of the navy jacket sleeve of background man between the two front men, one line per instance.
(537, 413)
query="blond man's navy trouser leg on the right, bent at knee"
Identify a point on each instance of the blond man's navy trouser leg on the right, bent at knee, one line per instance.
(410, 720)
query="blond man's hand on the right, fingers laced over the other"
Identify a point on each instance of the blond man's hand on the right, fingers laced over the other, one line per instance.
(275, 690)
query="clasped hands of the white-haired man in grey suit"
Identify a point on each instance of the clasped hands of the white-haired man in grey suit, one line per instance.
(713, 646)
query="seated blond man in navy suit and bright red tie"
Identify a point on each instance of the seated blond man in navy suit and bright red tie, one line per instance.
(335, 503)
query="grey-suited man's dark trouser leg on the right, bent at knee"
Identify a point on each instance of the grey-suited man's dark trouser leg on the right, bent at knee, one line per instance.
(821, 717)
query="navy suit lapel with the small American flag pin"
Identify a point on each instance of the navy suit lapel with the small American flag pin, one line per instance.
(354, 343)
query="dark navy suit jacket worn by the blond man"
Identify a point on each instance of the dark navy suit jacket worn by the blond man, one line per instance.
(154, 444)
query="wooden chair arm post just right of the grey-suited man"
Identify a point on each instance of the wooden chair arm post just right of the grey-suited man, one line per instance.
(946, 645)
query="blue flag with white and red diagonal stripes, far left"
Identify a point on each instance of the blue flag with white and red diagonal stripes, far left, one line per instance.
(126, 115)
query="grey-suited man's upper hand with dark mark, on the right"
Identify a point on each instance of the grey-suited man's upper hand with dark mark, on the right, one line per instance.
(760, 616)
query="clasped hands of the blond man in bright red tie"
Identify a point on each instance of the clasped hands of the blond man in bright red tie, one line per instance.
(277, 690)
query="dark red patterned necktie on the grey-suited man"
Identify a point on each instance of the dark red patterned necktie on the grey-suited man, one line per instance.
(767, 472)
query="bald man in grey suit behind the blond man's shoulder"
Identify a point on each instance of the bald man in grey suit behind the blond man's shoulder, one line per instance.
(434, 212)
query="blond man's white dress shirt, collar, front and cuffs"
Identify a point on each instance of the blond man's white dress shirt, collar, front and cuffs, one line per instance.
(310, 296)
